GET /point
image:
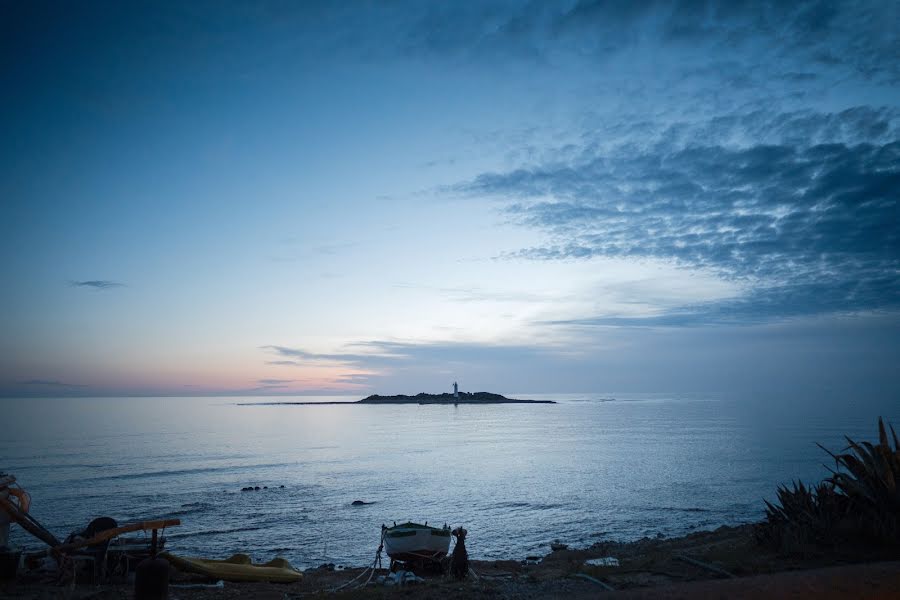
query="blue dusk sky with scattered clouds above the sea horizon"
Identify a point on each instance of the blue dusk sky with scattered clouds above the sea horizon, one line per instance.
(290, 198)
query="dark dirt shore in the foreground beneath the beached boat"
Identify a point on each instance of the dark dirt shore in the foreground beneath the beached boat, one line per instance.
(725, 563)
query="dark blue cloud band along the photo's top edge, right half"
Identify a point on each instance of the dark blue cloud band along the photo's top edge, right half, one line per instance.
(854, 37)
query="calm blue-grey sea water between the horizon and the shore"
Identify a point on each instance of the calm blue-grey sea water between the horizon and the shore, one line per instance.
(516, 476)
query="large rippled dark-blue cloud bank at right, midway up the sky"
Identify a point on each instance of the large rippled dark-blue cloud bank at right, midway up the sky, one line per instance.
(805, 220)
